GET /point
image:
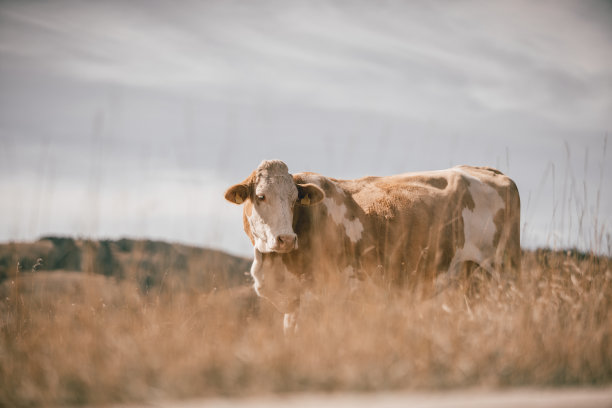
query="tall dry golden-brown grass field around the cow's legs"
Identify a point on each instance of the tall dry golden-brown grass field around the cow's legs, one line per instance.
(81, 339)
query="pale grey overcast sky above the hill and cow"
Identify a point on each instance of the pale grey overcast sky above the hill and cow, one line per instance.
(130, 119)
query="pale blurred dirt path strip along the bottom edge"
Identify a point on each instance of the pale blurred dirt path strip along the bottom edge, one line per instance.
(522, 398)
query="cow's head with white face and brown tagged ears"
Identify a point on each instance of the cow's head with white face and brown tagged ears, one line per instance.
(269, 196)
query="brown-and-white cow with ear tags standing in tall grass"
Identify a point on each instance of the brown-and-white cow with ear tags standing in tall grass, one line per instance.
(308, 229)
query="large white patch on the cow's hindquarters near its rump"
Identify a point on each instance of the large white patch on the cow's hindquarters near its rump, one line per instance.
(478, 225)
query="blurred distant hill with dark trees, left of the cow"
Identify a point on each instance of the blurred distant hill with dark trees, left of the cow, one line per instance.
(150, 264)
